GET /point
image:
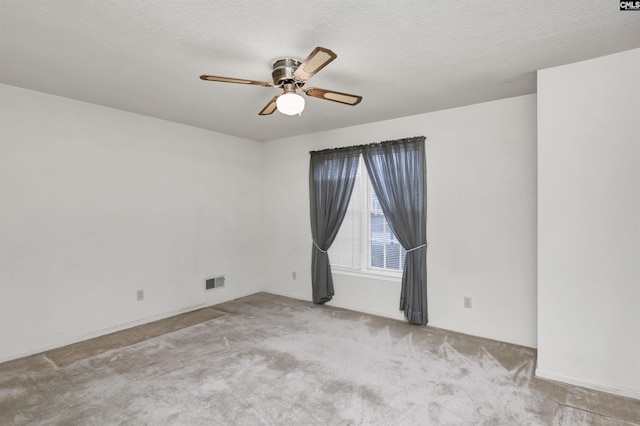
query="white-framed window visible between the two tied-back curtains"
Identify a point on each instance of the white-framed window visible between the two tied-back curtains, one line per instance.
(365, 242)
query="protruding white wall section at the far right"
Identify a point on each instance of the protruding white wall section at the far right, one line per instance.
(589, 223)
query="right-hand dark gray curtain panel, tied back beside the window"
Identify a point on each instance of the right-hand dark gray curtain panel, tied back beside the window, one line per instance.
(397, 170)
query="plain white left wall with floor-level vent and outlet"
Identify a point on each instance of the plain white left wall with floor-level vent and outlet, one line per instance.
(97, 203)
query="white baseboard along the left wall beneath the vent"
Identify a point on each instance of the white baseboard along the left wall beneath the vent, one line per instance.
(119, 327)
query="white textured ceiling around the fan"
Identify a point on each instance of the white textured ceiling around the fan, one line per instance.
(403, 57)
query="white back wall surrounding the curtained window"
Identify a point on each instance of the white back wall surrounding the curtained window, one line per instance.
(481, 175)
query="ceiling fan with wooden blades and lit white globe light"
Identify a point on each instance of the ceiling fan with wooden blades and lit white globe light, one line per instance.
(291, 75)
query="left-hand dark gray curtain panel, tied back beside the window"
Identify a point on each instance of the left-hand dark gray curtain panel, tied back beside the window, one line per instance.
(332, 175)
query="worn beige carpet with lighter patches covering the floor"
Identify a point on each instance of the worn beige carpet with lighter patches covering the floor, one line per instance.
(273, 360)
